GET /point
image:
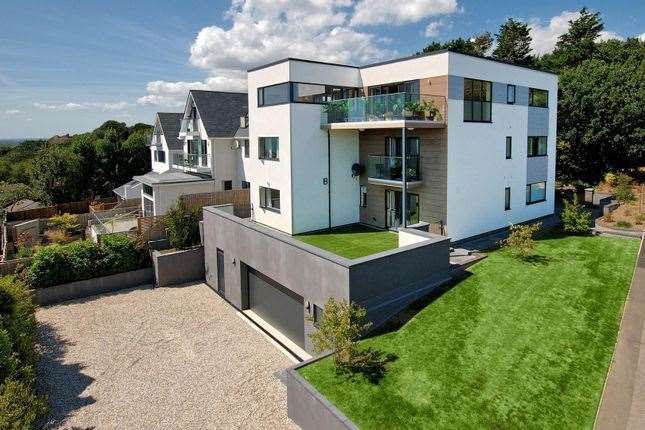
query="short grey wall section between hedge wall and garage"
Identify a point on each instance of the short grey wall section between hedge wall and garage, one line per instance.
(177, 267)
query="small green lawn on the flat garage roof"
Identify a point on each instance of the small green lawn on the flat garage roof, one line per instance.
(353, 241)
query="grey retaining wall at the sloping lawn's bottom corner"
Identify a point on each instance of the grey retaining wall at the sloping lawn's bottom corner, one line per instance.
(308, 408)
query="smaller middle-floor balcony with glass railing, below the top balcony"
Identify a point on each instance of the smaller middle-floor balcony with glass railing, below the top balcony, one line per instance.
(387, 170)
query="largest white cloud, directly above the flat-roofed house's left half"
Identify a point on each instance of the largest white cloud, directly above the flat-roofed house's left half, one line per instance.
(262, 31)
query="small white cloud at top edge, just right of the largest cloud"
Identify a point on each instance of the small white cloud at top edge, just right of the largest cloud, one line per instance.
(371, 12)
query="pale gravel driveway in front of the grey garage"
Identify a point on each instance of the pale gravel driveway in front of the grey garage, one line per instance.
(176, 357)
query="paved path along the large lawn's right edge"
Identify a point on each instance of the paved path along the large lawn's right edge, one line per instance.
(623, 402)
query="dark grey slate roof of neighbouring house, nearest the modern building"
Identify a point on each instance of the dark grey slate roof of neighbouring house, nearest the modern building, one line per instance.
(220, 111)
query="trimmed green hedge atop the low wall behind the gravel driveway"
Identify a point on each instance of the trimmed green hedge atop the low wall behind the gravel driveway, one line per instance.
(76, 261)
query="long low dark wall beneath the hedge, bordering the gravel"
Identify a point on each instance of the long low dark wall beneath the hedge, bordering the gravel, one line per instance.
(91, 287)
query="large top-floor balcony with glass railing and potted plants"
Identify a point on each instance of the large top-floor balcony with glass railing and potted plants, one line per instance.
(386, 111)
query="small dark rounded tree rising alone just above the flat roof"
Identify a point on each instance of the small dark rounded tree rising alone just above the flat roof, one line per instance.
(514, 43)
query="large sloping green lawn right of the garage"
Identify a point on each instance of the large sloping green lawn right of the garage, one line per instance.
(514, 345)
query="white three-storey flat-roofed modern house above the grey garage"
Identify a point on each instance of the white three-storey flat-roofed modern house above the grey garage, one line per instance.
(479, 153)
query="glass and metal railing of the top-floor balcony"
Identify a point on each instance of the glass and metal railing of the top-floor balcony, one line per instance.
(386, 107)
